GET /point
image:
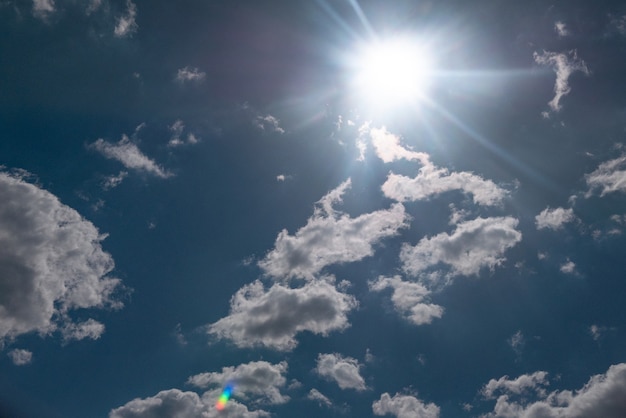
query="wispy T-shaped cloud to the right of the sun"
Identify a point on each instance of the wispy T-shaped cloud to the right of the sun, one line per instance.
(564, 65)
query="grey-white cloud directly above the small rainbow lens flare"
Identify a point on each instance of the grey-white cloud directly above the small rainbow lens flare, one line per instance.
(260, 379)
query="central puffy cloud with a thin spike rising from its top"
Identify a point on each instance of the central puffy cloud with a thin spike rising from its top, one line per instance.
(331, 237)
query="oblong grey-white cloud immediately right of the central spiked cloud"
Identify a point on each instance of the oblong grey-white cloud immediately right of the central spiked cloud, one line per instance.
(473, 245)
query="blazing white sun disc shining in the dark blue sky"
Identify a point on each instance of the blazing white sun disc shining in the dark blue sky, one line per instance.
(392, 72)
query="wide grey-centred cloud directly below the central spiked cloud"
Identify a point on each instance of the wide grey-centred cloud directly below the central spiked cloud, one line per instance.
(272, 318)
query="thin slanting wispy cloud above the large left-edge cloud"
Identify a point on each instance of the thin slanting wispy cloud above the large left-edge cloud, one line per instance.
(129, 155)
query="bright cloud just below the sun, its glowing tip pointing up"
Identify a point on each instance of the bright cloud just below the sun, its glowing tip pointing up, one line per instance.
(431, 180)
